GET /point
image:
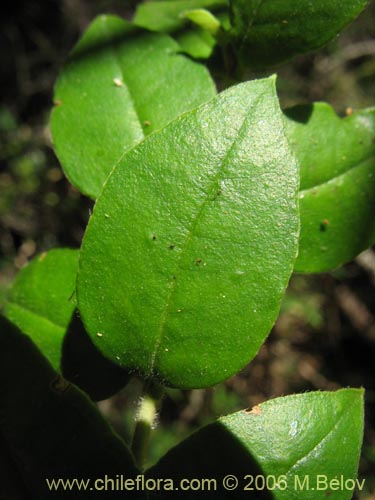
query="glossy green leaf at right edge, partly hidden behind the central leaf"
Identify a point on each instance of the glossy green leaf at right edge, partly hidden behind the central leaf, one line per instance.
(337, 197)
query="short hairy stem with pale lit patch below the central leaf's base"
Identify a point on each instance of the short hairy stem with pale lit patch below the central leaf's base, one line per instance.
(145, 420)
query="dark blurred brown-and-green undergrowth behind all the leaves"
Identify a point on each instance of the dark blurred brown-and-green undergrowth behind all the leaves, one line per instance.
(324, 338)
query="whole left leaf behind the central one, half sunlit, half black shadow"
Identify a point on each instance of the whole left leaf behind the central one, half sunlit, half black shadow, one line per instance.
(41, 303)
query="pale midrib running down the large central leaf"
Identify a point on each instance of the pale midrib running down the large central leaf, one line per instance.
(172, 283)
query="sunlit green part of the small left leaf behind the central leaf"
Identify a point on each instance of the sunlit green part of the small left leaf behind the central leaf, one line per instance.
(41, 301)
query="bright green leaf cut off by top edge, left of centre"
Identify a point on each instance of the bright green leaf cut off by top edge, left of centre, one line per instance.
(168, 16)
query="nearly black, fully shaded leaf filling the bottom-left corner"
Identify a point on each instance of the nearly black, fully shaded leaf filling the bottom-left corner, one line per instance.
(51, 428)
